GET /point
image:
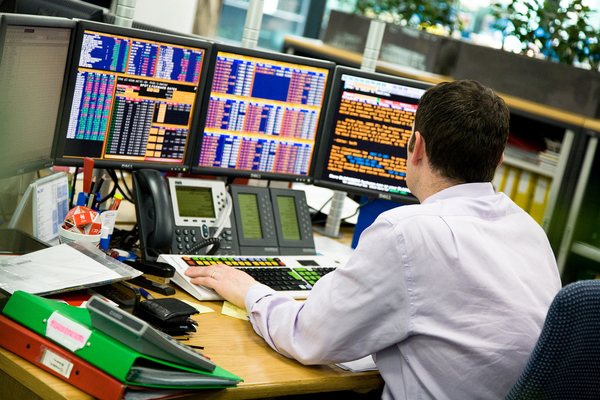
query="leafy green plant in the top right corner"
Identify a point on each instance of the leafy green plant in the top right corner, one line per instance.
(562, 34)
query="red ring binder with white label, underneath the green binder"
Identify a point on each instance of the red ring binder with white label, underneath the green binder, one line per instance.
(58, 361)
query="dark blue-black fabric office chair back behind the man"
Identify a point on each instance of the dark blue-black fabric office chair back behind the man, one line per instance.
(565, 363)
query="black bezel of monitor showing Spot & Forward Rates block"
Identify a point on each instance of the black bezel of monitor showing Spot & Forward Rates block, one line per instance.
(60, 138)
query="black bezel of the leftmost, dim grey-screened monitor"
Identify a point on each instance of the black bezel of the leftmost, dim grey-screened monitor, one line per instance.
(45, 22)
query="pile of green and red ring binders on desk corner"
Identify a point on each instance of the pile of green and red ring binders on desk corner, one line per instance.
(60, 338)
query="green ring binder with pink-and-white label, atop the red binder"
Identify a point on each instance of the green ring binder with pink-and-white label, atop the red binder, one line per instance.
(71, 328)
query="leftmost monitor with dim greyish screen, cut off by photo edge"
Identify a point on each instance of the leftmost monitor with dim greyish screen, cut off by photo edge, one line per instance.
(34, 57)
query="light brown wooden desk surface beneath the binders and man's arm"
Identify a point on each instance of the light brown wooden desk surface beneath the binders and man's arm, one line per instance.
(231, 343)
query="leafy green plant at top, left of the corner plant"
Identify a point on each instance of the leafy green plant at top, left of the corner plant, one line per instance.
(413, 13)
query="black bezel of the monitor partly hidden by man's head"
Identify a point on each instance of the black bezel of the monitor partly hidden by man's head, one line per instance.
(328, 130)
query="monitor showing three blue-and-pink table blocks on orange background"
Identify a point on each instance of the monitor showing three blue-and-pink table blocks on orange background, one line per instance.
(262, 115)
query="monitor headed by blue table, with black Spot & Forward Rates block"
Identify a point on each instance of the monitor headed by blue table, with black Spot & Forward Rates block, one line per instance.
(133, 98)
